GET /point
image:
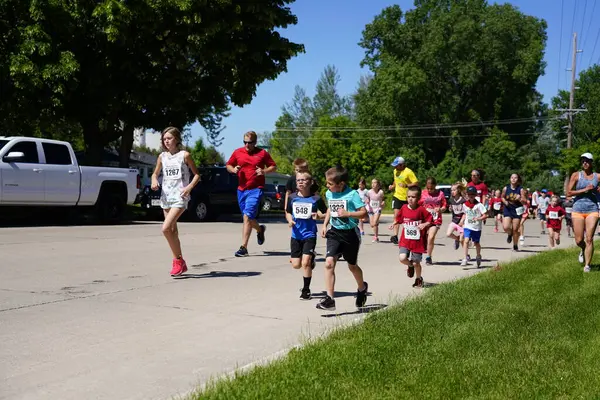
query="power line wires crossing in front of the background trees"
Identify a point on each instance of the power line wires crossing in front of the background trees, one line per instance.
(420, 126)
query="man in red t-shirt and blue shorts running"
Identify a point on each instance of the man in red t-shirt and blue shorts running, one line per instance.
(250, 163)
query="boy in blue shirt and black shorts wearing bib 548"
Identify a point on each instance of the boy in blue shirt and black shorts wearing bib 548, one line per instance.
(301, 211)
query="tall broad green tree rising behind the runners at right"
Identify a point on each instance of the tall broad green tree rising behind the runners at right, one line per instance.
(451, 61)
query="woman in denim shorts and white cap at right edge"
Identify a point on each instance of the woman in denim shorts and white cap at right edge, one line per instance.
(584, 186)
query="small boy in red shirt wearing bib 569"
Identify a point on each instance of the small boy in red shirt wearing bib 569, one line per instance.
(413, 242)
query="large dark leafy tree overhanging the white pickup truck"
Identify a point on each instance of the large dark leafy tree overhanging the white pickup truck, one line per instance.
(112, 65)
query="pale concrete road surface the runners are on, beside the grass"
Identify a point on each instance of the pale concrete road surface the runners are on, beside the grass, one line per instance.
(91, 312)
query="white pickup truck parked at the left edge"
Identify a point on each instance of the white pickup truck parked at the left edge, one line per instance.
(42, 172)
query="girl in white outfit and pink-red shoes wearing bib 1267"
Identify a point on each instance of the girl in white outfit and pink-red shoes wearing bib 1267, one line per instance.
(176, 188)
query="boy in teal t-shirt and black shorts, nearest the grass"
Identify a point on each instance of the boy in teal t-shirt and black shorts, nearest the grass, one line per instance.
(345, 209)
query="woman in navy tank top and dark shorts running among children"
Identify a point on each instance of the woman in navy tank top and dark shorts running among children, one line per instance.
(512, 196)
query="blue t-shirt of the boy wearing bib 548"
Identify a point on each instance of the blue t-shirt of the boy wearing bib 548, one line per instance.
(301, 209)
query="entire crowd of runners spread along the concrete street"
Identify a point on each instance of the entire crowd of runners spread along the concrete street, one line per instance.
(418, 213)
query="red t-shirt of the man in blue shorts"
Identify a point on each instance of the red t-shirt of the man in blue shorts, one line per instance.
(249, 162)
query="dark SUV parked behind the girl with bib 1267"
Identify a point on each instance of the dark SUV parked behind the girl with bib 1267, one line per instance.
(215, 194)
